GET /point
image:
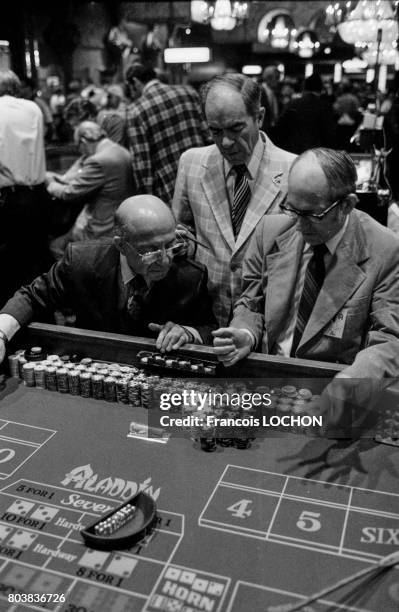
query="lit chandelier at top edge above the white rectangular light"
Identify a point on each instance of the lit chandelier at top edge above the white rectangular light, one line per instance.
(222, 14)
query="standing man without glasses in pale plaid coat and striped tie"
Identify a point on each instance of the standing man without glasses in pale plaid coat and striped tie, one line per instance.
(210, 181)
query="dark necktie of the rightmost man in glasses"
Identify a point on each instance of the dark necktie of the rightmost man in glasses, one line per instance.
(314, 278)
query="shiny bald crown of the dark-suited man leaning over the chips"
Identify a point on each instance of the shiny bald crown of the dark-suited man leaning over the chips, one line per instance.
(143, 216)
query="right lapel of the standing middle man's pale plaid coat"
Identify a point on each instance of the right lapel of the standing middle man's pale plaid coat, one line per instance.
(264, 192)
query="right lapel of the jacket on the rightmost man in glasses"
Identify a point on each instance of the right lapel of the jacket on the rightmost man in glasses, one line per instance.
(341, 282)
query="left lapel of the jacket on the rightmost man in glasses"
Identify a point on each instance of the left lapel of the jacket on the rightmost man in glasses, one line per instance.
(282, 270)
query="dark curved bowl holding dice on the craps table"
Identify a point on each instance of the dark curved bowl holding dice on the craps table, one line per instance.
(131, 532)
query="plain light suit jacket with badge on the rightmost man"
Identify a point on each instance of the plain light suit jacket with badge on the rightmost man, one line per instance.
(360, 291)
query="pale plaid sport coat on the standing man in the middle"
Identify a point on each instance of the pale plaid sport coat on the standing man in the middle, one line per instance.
(201, 202)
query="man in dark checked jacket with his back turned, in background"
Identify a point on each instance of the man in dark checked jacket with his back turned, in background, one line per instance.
(162, 123)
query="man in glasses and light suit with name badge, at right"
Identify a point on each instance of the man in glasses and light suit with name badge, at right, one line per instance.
(354, 319)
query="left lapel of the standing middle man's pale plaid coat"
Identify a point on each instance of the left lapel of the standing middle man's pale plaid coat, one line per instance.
(214, 186)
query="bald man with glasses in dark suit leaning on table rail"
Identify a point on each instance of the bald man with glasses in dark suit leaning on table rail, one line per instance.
(138, 283)
